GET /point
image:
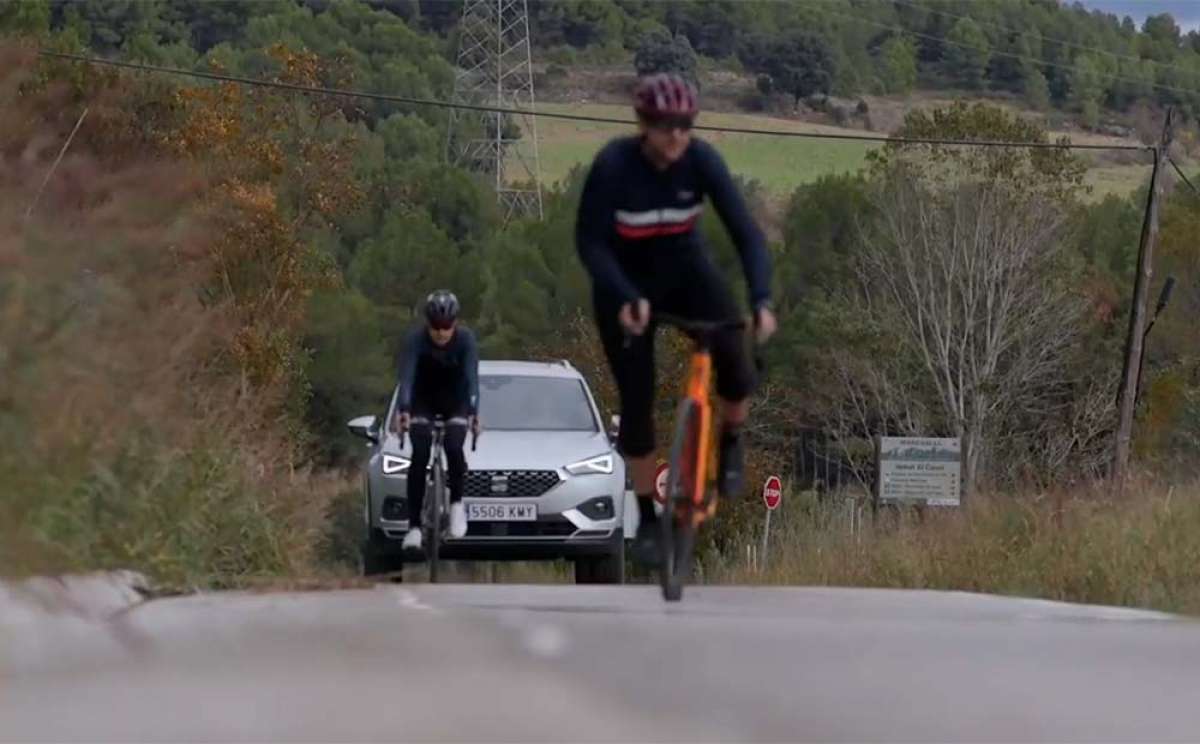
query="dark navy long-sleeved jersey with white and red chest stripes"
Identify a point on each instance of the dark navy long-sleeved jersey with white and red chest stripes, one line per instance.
(638, 223)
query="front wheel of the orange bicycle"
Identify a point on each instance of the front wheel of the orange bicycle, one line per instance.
(679, 530)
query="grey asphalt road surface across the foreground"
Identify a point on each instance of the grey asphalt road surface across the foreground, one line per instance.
(553, 664)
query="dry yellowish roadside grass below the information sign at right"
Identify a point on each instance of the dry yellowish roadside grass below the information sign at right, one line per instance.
(1141, 550)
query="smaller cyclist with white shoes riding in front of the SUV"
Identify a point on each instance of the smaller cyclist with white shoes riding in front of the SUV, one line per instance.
(439, 377)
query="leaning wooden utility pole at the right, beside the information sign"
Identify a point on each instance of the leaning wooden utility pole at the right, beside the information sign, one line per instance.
(1136, 339)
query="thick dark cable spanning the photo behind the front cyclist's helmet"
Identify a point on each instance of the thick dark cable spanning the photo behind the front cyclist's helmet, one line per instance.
(518, 112)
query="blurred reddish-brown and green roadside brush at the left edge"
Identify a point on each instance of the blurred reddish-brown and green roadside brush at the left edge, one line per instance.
(137, 429)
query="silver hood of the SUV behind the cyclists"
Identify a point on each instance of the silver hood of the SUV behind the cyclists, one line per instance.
(527, 451)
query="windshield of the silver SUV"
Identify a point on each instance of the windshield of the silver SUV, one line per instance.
(514, 403)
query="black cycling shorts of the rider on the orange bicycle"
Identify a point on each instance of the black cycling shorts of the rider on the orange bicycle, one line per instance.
(699, 292)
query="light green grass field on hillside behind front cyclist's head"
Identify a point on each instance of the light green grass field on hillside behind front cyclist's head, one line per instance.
(779, 164)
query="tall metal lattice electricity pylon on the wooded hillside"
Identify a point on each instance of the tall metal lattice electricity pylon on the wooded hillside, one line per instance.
(495, 69)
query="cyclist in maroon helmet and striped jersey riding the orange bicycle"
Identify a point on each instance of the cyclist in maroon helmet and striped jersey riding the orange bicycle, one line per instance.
(637, 236)
